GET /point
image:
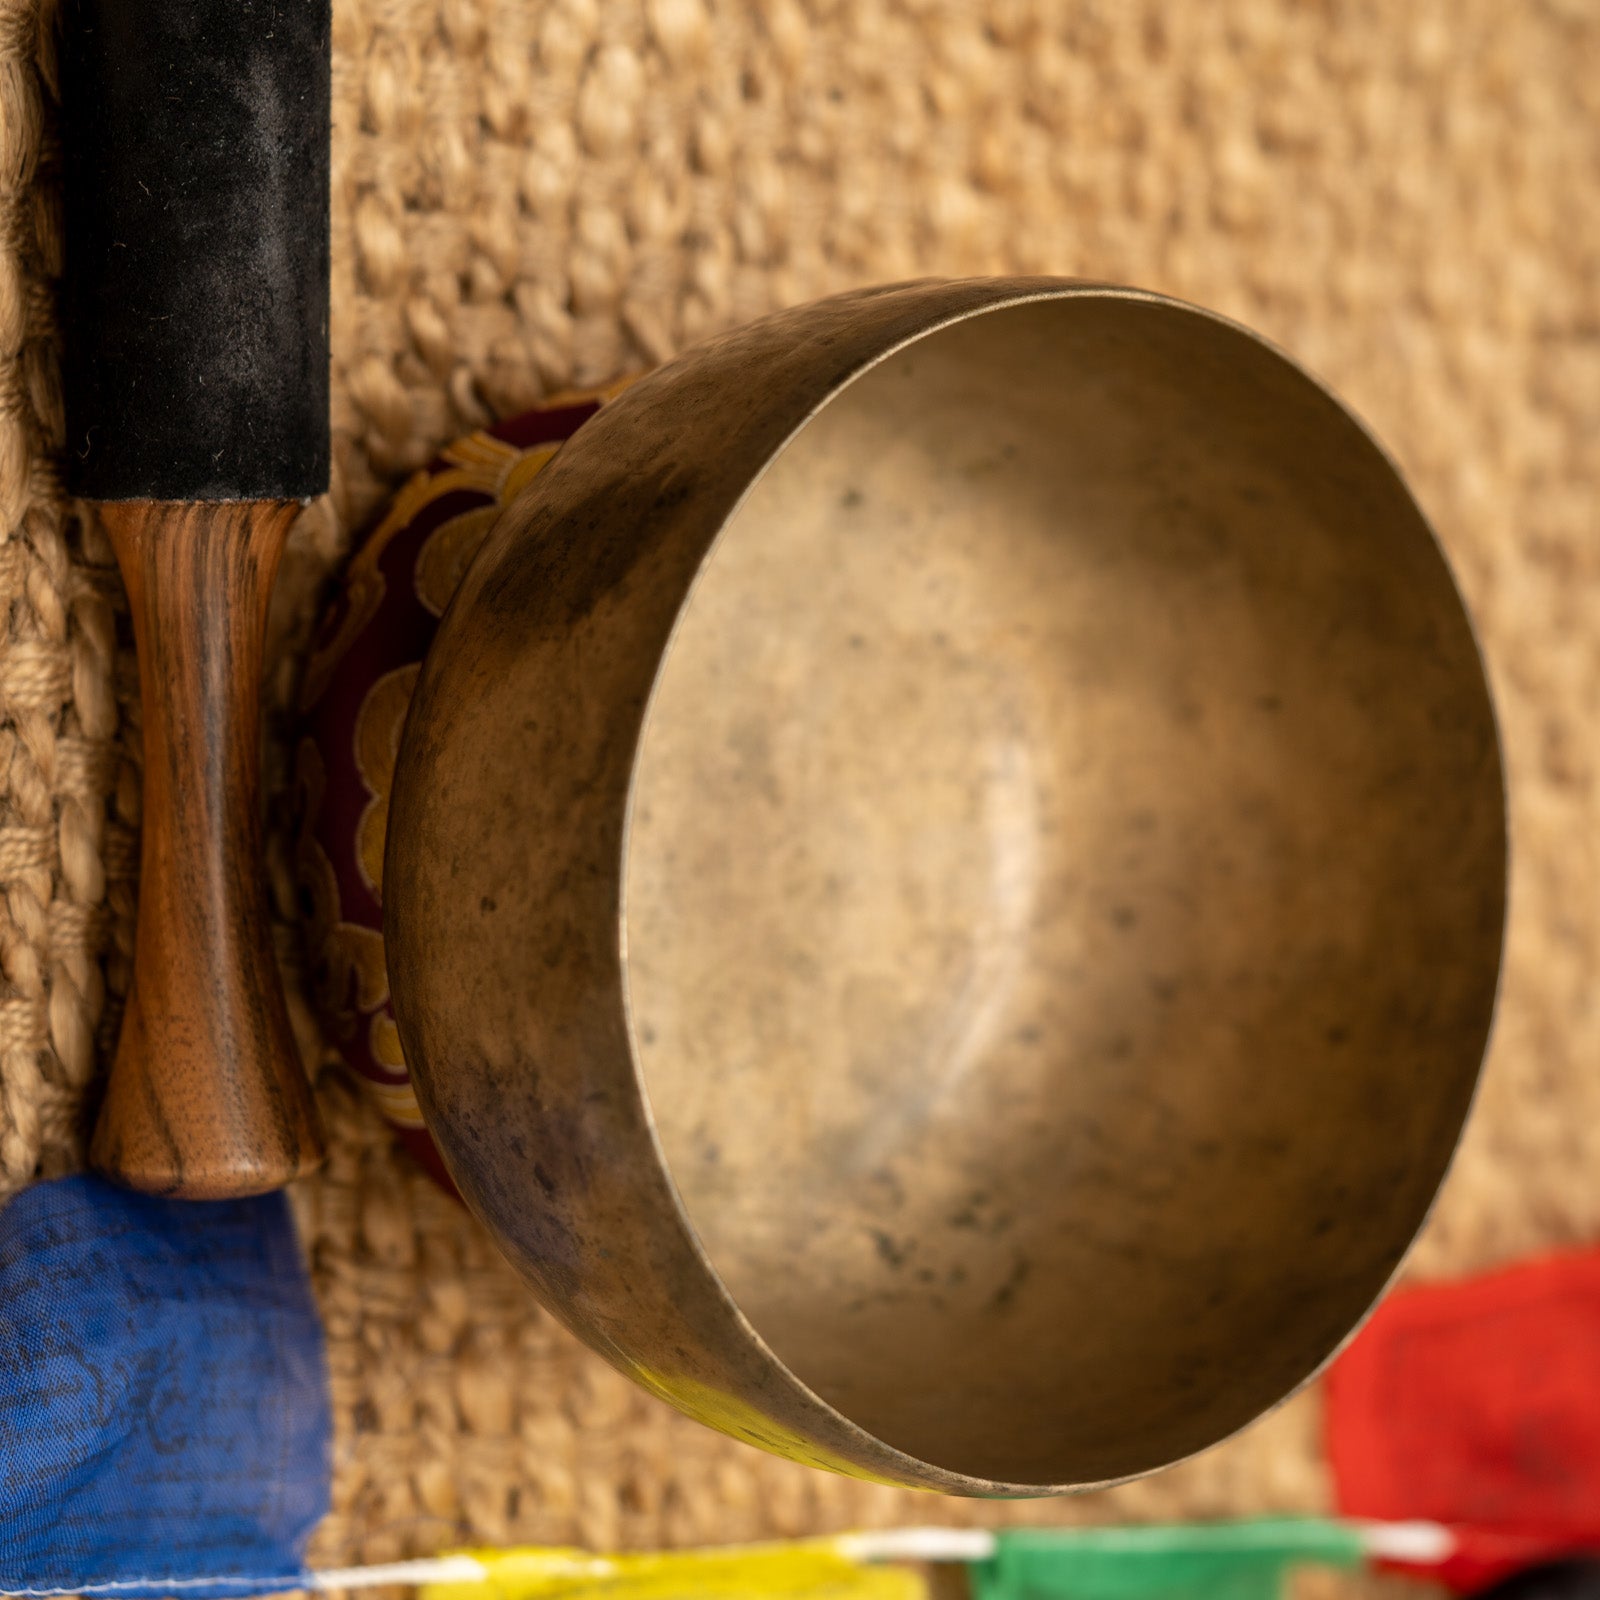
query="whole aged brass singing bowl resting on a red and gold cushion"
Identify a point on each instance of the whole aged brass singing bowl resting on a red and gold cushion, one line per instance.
(946, 881)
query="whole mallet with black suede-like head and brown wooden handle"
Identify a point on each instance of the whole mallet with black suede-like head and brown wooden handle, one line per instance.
(196, 316)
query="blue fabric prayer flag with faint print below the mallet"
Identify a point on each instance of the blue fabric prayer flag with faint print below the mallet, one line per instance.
(164, 1398)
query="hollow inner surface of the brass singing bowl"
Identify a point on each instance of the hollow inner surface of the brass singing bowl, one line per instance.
(1065, 890)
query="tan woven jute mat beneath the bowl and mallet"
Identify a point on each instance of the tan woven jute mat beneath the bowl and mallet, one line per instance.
(532, 194)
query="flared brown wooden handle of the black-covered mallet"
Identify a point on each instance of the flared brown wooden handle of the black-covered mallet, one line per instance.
(207, 1092)
